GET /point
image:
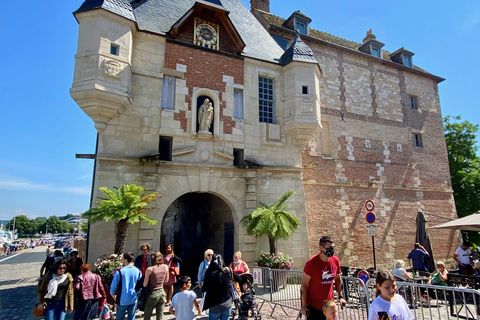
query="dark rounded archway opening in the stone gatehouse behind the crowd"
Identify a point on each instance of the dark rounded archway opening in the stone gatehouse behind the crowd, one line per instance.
(195, 222)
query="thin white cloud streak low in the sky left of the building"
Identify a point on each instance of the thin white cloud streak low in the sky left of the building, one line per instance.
(12, 183)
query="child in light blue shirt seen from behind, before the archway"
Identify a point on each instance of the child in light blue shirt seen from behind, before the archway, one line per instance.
(183, 302)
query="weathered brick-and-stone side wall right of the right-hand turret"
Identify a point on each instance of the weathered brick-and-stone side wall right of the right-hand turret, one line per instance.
(366, 151)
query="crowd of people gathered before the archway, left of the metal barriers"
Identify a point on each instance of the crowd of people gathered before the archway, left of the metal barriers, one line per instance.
(144, 282)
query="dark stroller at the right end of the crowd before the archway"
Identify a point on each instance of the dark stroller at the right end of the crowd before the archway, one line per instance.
(246, 307)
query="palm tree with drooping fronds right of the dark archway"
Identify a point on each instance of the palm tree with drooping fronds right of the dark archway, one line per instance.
(272, 221)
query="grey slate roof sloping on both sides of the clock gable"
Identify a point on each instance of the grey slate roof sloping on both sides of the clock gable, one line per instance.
(158, 16)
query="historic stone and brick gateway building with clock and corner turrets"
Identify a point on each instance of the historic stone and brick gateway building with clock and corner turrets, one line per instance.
(220, 108)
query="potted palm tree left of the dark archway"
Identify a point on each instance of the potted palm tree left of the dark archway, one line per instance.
(125, 205)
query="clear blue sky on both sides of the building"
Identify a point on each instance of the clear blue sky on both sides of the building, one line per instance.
(42, 127)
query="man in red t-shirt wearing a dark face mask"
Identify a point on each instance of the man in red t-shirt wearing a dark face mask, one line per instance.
(320, 273)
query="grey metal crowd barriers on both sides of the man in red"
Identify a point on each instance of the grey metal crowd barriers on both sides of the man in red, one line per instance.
(281, 288)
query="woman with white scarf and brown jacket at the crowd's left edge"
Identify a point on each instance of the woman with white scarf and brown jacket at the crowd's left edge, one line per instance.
(55, 292)
